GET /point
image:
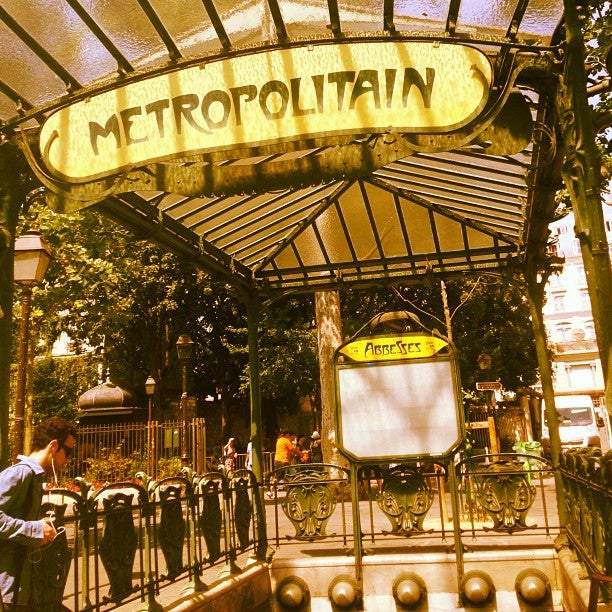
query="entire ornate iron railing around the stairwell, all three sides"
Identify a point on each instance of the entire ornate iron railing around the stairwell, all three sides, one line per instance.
(126, 541)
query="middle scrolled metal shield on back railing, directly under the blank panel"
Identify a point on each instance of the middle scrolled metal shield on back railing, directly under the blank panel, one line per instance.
(405, 499)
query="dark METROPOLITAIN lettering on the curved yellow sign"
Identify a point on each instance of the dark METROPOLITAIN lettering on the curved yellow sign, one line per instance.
(218, 109)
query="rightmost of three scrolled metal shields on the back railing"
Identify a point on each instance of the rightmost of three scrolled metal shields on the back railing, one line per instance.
(504, 492)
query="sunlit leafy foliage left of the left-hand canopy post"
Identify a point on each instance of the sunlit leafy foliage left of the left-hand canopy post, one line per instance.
(107, 289)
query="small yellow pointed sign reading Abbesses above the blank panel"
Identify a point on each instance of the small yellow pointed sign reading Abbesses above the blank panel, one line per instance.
(408, 346)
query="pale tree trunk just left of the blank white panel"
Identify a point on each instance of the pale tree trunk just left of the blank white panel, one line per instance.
(329, 335)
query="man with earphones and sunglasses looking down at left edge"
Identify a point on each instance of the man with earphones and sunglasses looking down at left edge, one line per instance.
(21, 490)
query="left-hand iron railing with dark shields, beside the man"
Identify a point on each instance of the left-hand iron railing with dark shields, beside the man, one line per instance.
(125, 541)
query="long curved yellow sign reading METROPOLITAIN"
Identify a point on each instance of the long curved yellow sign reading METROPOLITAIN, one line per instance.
(268, 97)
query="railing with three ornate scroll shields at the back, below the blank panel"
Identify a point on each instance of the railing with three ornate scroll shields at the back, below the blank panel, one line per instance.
(495, 494)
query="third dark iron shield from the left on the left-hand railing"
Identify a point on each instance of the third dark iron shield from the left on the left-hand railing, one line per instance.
(171, 531)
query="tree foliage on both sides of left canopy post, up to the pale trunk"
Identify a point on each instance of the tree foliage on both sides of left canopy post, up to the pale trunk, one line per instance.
(107, 290)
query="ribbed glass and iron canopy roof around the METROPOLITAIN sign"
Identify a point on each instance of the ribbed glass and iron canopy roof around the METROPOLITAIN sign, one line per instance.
(299, 214)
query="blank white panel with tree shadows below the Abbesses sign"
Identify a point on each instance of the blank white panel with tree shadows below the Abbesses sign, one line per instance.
(398, 409)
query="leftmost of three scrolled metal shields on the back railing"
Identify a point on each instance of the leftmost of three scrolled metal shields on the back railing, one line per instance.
(309, 502)
